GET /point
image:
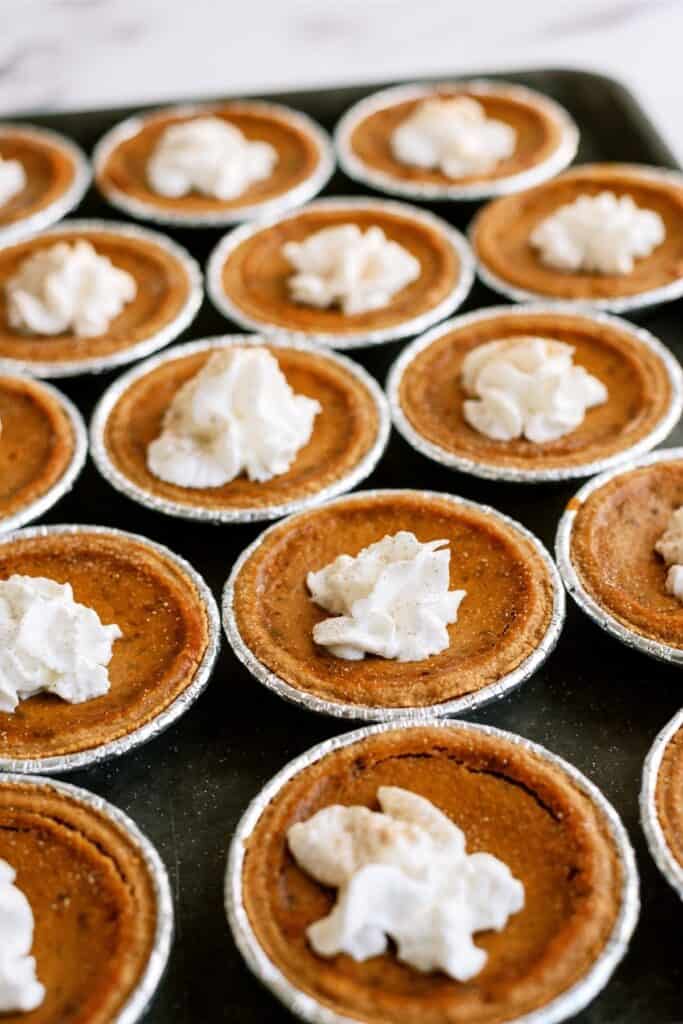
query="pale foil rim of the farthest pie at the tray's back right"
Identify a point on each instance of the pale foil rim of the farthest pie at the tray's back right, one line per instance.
(358, 169)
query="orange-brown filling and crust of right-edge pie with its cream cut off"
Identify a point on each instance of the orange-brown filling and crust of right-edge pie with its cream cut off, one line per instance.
(613, 549)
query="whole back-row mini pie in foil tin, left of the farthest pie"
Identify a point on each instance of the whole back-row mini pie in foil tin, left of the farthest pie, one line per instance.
(214, 164)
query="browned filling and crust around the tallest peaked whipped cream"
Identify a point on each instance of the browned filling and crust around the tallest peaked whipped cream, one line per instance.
(344, 432)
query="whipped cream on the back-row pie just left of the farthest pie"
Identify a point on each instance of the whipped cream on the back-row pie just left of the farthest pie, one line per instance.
(208, 156)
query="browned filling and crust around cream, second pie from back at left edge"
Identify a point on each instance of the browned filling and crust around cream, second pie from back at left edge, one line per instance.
(163, 288)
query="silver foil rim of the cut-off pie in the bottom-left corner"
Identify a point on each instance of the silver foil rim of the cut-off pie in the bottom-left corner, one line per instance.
(142, 996)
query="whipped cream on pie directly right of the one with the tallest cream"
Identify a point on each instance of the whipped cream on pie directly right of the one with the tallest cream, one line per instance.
(528, 388)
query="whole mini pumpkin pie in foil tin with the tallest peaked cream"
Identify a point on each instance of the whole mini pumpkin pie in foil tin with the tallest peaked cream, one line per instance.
(255, 461)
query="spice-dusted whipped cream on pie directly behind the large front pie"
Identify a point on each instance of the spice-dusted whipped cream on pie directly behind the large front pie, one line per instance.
(393, 600)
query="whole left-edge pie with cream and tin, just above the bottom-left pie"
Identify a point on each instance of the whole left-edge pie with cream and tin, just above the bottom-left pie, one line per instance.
(148, 630)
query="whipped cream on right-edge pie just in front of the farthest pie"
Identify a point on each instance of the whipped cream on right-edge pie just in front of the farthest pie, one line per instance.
(603, 234)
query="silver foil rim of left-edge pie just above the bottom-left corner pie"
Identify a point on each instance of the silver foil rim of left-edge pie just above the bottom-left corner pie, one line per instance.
(178, 708)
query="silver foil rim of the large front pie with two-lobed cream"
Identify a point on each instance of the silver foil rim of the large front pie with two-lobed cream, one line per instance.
(307, 1007)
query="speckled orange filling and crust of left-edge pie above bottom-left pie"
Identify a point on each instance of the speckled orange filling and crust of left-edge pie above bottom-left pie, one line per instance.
(164, 639)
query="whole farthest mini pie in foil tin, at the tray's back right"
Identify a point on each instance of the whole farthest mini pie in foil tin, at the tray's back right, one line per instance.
(458, 141)
